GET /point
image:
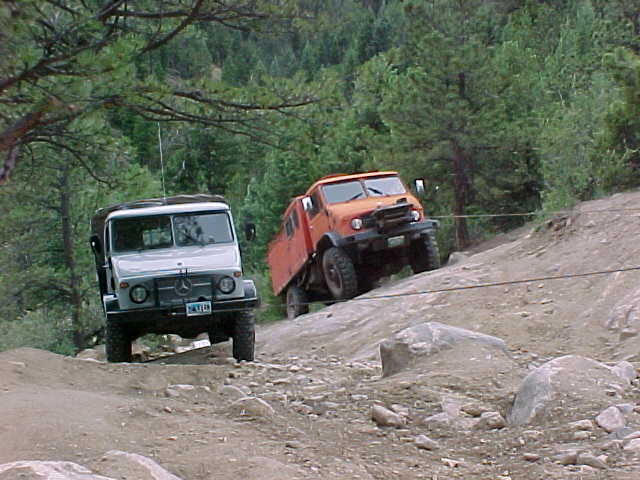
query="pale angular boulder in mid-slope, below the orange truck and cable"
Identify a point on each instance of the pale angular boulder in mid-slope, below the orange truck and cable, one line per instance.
(425, 339)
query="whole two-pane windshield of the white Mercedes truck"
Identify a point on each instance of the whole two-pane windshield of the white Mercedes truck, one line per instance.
(148, 233)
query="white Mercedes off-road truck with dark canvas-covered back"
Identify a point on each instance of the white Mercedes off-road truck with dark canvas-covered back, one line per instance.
(172, 265)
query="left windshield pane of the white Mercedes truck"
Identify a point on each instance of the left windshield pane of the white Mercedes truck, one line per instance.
(142, 233)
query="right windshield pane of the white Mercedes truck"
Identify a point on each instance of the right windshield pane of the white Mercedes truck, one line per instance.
(202, 229)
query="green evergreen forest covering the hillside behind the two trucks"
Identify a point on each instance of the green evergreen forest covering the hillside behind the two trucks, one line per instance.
(502, 106)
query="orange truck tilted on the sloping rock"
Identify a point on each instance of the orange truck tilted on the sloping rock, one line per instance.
(346, 233)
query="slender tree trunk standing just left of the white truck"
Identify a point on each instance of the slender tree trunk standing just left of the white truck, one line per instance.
(70, 260)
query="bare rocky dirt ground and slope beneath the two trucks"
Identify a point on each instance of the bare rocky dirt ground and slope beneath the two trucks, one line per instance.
(315, 403)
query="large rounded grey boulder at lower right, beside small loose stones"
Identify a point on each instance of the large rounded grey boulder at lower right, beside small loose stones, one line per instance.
(570, 379)
